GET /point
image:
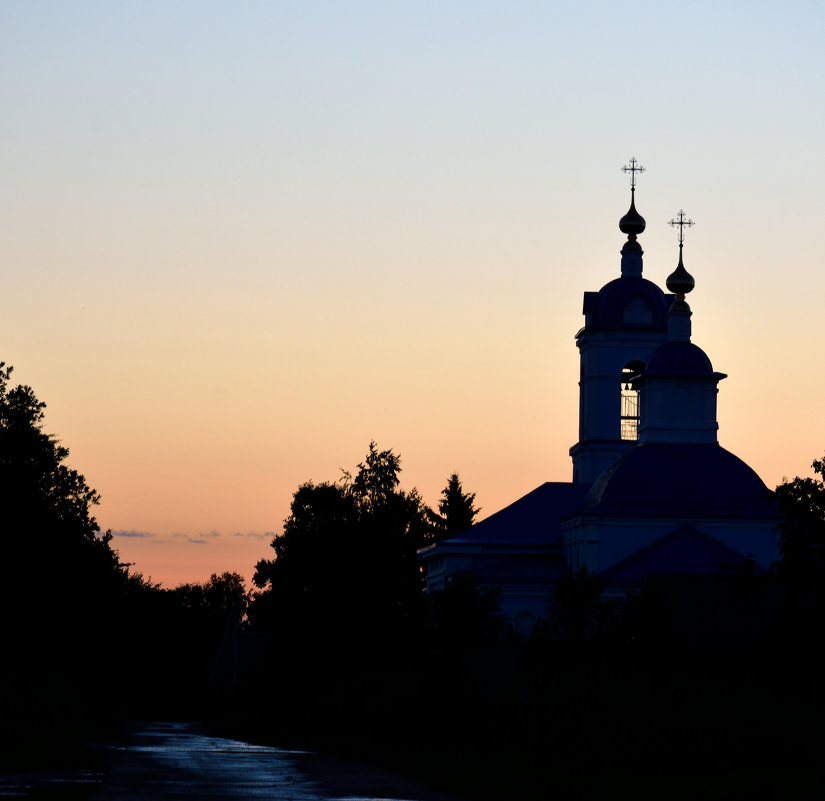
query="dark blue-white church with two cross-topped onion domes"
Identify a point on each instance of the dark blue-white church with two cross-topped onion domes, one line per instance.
(653, 492)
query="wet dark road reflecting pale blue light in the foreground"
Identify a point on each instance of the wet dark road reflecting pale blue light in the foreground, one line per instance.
(181, 761)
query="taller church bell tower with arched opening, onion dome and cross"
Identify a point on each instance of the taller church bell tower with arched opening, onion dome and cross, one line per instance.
(623, 323)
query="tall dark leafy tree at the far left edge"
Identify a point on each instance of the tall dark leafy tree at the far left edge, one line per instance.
(59, 573)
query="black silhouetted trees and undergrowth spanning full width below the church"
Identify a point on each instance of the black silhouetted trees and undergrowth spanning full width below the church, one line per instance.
(351, 653)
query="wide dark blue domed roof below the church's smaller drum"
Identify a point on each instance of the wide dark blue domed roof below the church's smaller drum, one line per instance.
(669, 479)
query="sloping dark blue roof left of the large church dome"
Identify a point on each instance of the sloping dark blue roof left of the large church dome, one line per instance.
(531, 520)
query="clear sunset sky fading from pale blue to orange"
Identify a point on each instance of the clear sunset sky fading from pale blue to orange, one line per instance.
(241, 240)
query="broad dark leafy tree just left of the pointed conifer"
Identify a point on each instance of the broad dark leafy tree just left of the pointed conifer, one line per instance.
(345, 566)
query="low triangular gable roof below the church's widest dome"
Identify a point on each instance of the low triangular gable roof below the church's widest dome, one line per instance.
(685, 550)
